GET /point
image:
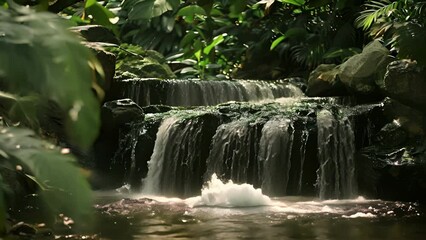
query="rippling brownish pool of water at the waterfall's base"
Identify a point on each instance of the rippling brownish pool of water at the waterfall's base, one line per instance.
(141, 217)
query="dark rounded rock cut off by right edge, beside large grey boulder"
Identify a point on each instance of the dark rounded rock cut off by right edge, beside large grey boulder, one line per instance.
(405, 82)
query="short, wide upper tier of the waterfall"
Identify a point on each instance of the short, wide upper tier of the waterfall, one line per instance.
(192, 92)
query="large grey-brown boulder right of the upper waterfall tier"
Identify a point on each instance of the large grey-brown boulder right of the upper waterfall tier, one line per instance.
(361, 72)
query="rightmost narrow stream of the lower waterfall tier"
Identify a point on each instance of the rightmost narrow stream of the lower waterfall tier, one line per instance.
(336, 148)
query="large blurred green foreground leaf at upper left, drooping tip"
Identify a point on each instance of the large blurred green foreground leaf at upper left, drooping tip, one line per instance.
(57, 68)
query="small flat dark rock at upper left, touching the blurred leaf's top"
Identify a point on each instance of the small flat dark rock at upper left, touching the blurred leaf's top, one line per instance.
(96, 33)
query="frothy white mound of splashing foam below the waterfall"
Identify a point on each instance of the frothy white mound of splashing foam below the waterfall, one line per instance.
(219, 194)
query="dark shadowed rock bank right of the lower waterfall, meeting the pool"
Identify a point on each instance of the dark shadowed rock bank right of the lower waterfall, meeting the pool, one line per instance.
(392, 166)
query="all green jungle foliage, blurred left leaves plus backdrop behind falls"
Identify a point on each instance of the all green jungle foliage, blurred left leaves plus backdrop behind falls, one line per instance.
(48, 77)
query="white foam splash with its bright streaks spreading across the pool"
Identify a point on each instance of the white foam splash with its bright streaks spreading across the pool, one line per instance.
(229, 196)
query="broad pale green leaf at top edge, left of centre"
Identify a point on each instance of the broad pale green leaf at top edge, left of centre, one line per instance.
(147, 9)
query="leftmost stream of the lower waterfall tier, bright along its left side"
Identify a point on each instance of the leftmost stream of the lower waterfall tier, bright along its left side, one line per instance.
(178, 159)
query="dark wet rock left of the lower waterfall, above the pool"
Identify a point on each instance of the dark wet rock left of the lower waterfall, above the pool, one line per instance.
(116, 117)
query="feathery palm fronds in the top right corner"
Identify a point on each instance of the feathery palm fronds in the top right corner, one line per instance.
(401, 24)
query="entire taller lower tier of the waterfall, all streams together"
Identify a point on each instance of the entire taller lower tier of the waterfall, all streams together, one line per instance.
(274, 146)
